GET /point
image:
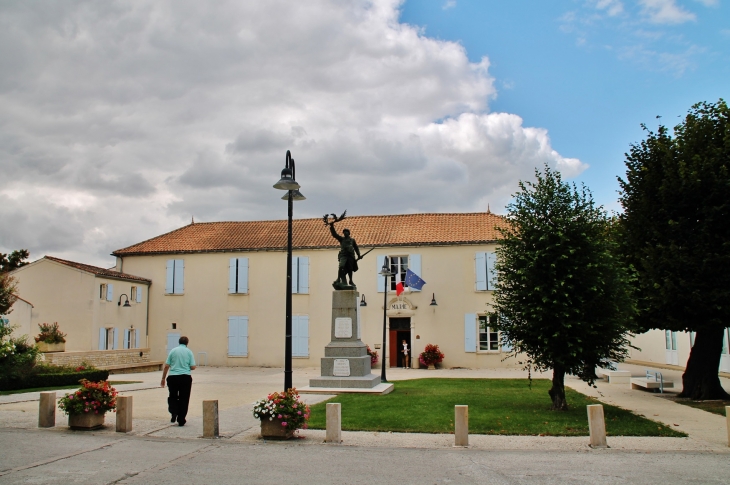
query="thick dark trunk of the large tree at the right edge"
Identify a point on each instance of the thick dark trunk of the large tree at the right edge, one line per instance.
(700, 380)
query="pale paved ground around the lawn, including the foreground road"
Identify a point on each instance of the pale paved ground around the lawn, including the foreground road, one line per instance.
(157, 451)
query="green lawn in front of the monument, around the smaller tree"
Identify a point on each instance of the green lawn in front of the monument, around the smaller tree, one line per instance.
(496, 406)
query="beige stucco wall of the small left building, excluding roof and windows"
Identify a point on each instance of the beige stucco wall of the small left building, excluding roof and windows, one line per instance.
(70, 296)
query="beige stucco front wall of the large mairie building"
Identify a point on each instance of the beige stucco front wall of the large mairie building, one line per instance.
(202, 312)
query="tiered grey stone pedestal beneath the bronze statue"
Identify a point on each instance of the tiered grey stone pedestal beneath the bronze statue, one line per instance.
(346, 363)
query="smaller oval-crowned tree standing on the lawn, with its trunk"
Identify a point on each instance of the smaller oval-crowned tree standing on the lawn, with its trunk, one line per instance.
(562, 297)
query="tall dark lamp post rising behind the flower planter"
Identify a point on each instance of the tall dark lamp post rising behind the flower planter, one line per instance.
(288, 182)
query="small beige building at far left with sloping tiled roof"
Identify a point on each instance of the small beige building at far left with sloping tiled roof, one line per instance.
(98, 309)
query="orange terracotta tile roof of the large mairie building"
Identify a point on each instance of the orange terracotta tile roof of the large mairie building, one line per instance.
(368, 231)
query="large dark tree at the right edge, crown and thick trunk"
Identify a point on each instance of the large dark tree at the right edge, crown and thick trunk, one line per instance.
(675, 231)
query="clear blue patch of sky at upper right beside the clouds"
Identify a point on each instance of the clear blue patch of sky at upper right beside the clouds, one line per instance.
(591, 72)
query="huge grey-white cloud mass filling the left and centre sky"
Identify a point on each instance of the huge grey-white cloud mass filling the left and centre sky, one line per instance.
(120, 121)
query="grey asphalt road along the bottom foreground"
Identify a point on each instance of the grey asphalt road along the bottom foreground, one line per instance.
(53, 457)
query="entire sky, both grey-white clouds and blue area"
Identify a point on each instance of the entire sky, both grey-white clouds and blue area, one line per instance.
(120, 121)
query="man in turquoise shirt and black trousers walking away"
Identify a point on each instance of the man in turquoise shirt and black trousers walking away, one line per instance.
(180, 361)
